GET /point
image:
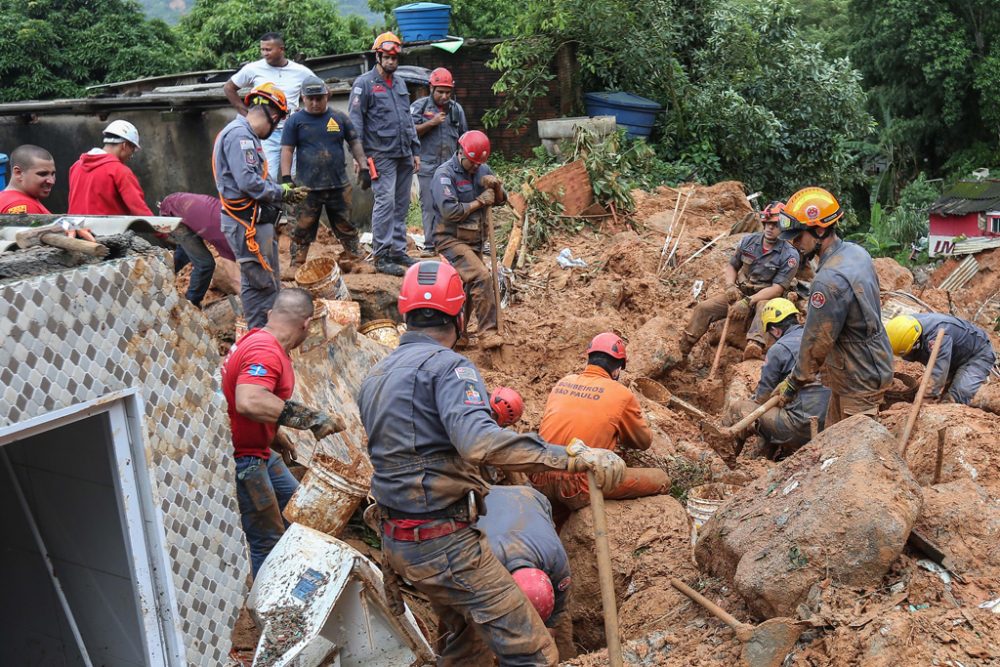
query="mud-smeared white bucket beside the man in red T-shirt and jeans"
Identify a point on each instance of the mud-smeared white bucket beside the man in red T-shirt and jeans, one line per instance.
(325, 500)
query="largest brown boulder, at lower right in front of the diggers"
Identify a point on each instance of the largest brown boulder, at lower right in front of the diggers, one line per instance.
(840, 508)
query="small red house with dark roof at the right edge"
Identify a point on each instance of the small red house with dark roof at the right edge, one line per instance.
(970, 210)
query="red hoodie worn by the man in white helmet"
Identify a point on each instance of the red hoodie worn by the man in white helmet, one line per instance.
(100, 184)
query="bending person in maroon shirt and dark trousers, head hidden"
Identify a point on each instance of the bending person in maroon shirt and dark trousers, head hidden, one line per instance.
(200, 222)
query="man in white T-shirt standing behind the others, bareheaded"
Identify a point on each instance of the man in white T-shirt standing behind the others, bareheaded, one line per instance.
(274, 68)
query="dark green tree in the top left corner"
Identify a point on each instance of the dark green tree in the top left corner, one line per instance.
(55, 48)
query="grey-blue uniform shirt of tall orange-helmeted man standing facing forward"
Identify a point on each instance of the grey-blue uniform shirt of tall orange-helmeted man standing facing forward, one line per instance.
(380, 113)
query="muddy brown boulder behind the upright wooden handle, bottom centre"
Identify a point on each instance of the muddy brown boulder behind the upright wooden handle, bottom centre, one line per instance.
(649, 540)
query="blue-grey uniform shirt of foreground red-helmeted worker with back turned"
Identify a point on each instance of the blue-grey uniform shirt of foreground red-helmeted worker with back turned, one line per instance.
(426, 412)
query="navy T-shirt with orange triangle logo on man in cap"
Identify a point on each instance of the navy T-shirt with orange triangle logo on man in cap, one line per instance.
(318, 141)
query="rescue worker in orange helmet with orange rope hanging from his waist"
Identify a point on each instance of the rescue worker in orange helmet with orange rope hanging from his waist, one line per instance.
(250, 199)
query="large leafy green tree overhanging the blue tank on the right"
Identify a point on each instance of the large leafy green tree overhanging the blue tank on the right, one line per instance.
(746, 96)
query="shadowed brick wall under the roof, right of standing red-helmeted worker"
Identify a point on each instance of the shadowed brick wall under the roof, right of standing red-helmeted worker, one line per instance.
(474, 90)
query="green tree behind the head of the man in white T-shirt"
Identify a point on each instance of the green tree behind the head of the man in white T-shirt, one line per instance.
(225, 33)
